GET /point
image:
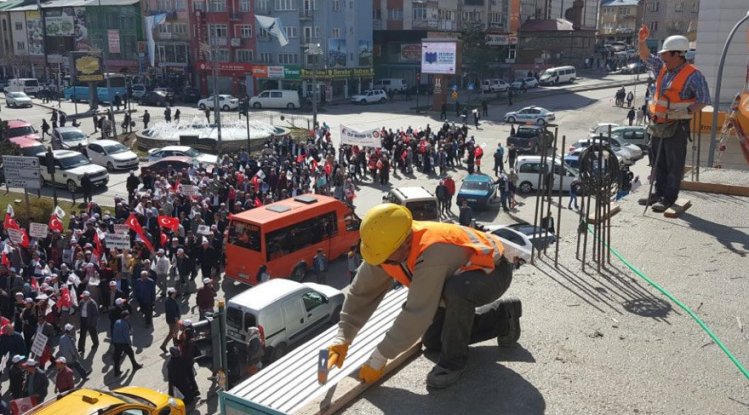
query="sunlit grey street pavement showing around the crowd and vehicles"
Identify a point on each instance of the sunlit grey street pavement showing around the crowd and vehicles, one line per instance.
(576, 112)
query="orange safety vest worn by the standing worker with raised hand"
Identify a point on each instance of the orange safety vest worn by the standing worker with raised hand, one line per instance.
(670, 100)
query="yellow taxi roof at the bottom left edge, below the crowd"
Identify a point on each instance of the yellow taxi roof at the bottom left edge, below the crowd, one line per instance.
(129, 400)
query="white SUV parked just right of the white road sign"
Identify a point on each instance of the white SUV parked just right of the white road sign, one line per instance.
(70, 166)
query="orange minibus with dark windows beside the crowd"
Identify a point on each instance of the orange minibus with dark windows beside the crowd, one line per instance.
(285, 236)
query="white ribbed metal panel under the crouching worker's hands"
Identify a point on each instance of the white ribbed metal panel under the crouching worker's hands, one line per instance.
(291, 382)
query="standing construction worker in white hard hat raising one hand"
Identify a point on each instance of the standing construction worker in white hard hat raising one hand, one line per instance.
(680, 91)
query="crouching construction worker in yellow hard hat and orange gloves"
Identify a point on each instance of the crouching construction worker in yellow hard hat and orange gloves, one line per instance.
(460, 267)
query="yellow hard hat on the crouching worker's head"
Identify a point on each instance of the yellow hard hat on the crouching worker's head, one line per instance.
(383, 230)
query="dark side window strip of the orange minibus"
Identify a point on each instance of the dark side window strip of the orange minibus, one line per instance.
(300, 235)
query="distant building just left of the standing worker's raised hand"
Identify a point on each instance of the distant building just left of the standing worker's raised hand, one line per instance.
(620, 20)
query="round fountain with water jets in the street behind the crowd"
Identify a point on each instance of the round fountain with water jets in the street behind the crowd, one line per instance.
(202, 136)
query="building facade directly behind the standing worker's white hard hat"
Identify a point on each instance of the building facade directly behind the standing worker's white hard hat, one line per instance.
(665, 18)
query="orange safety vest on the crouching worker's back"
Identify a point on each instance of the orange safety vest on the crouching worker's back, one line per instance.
(487, 248)
